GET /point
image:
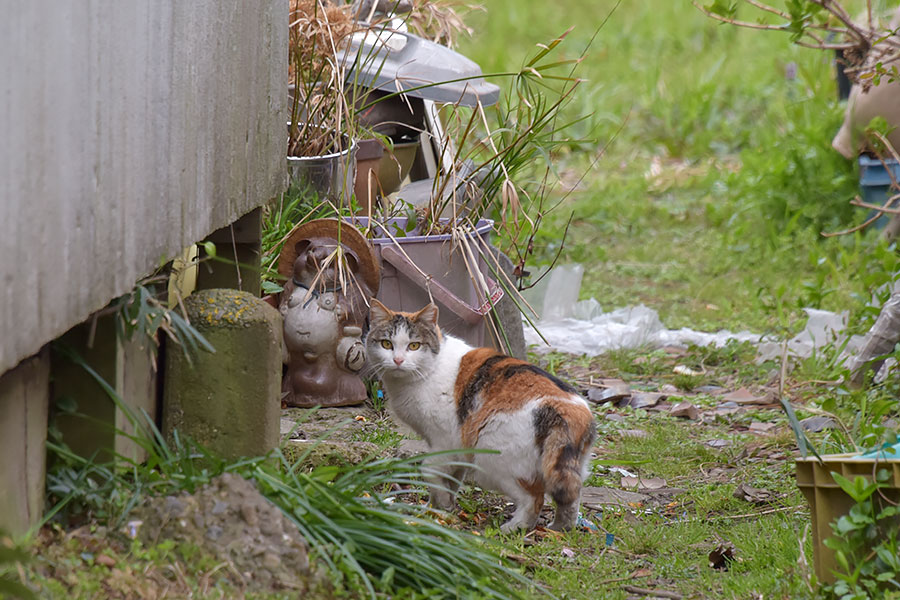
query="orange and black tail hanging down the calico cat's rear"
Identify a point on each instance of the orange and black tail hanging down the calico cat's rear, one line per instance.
(563, 462)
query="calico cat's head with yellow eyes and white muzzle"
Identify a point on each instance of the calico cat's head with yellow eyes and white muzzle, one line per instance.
(402, 345)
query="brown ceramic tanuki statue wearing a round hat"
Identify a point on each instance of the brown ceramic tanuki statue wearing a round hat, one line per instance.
(325, 313)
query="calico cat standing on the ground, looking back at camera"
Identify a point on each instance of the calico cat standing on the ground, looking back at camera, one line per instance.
(456, 396)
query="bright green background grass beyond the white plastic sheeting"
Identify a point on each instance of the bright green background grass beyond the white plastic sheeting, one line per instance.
(727, 234)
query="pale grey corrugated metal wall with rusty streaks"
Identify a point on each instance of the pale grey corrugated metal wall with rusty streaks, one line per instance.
(128, 130)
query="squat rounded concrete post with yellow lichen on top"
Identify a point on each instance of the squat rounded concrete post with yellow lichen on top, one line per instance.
(228, 401)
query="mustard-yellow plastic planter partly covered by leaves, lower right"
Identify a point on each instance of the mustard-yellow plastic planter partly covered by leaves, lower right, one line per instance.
(828, 502)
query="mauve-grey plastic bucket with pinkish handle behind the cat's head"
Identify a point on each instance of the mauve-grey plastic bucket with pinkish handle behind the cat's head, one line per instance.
(413, 265)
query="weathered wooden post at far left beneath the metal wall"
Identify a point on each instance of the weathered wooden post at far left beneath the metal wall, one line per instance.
(24, 397)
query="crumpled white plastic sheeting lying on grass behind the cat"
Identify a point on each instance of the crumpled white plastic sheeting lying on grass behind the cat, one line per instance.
(583, 328)
